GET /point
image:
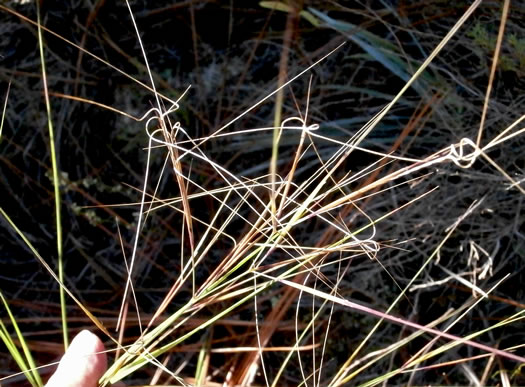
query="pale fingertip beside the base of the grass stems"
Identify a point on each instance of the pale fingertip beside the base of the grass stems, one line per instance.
(83, 363)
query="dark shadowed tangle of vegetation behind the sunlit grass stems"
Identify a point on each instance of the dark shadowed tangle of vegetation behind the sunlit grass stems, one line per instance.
(229, 52)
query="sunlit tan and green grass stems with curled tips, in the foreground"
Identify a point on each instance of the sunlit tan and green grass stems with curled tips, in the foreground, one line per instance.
(292, 234)
